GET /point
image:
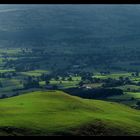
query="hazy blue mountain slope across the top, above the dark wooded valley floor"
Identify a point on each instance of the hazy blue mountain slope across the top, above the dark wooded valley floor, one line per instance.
(70, 23)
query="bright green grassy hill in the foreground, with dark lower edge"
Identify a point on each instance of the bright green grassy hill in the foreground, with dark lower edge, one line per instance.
(56, 113)
